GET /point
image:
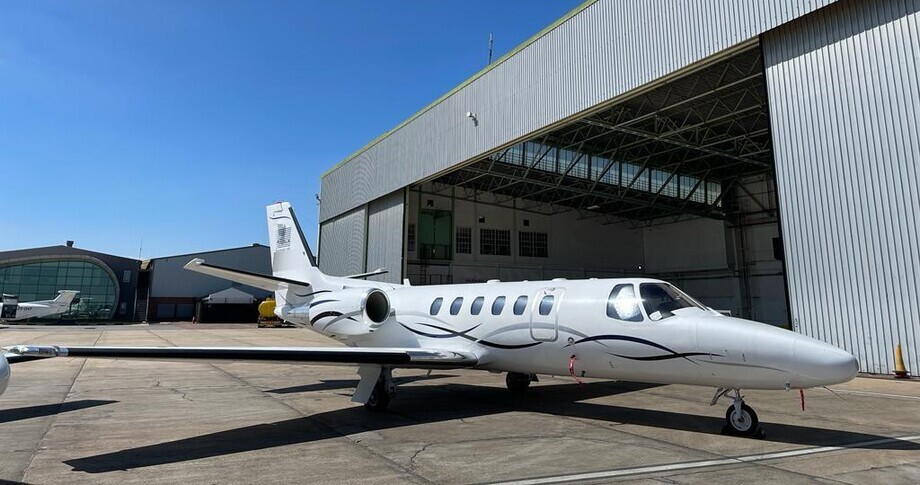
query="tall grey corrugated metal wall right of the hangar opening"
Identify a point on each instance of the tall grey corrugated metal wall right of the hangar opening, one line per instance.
(845, 111)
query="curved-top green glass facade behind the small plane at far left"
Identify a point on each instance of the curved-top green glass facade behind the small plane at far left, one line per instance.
(41, 280)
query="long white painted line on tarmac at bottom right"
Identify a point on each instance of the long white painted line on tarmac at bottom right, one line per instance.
(703, 463)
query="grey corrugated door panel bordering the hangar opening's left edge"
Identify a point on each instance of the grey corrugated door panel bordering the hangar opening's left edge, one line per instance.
(385, 236)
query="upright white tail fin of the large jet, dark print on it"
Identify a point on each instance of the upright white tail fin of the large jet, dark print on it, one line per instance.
(291, 255)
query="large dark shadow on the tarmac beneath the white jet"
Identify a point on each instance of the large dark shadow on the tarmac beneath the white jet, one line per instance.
(430, 404)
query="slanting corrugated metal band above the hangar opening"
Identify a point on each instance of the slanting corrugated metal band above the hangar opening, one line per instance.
(606, 50)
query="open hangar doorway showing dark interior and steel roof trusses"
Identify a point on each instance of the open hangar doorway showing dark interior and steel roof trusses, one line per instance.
(674, 181)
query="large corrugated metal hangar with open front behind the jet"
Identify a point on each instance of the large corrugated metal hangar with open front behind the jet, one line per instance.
(763, 156)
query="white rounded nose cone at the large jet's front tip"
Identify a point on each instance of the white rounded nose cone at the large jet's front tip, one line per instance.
(820, 364)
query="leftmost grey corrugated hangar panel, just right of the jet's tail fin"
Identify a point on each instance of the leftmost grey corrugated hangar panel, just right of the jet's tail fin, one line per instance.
(341, 250)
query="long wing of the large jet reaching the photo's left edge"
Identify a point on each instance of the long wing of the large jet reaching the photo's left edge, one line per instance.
(394, 357)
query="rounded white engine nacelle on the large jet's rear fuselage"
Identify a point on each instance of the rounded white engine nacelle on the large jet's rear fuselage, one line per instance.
(353, 311)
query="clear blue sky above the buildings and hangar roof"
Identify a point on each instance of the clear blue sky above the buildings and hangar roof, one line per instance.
(175, 122)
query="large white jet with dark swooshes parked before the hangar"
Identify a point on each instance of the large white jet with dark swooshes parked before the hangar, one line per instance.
(634, 329)
